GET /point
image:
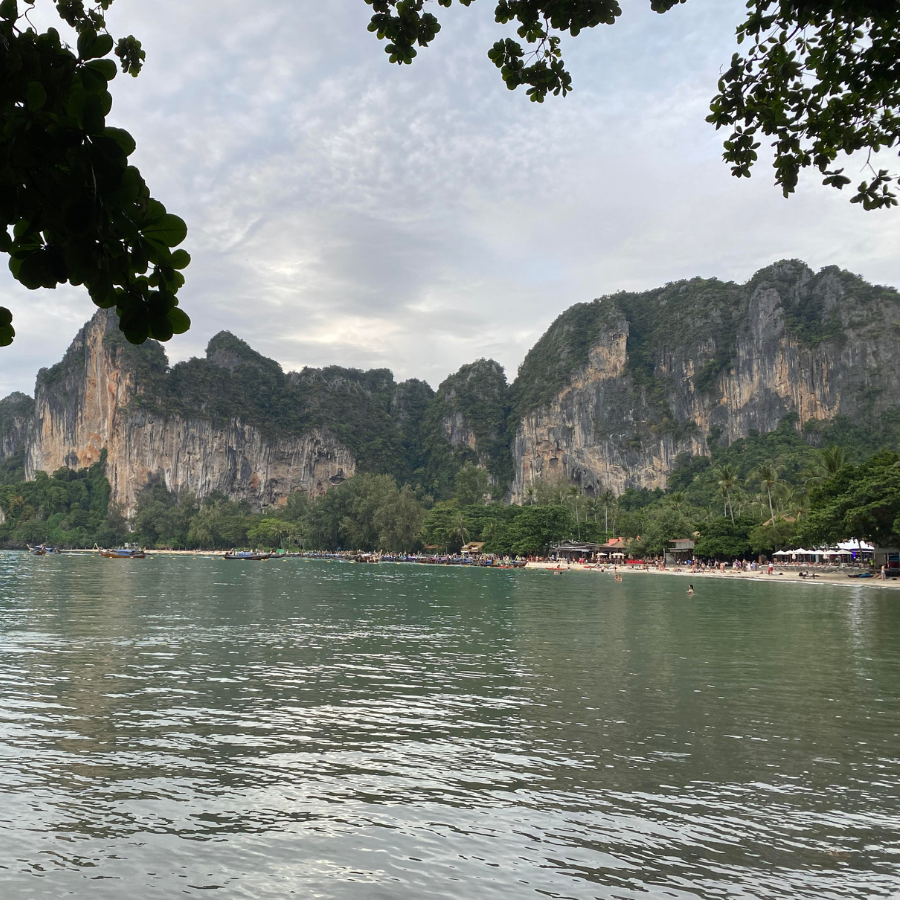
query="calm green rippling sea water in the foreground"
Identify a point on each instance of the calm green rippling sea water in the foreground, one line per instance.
(312, 729)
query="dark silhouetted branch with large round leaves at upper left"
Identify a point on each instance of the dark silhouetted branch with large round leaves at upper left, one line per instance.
(73, 208)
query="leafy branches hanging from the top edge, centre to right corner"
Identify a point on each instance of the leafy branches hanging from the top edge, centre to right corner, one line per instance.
(820, 78)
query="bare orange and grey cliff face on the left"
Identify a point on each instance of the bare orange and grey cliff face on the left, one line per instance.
(103, 396)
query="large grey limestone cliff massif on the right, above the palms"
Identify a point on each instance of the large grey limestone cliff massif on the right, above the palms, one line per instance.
(665, 372)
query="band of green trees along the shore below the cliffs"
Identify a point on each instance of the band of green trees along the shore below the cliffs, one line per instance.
(757, 495)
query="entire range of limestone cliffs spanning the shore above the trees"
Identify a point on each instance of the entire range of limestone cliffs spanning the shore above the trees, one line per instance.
(609, 398)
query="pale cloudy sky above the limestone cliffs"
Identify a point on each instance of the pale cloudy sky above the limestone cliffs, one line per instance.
(346, 211)
